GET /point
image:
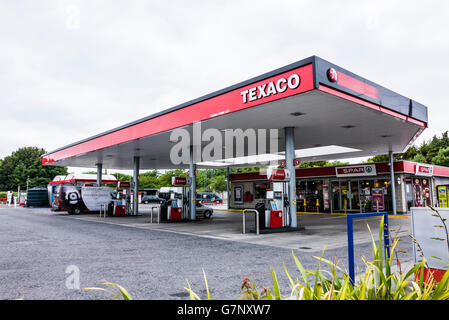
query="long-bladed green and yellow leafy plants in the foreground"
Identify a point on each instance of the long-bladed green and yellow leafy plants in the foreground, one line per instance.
(378, 282)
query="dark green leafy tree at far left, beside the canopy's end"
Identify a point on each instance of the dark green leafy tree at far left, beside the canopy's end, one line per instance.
(23, 164)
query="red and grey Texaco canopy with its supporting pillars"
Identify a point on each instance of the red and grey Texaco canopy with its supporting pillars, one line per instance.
(320, 111)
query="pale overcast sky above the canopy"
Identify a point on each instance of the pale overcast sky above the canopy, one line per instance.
(71, 69)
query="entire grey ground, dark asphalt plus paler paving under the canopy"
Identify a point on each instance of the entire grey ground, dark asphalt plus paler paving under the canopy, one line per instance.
(49, 255)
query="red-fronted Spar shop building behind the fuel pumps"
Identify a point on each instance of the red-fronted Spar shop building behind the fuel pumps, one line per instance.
(356, 188)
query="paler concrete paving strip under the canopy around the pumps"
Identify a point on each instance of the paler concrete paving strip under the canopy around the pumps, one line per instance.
(321, 230)
